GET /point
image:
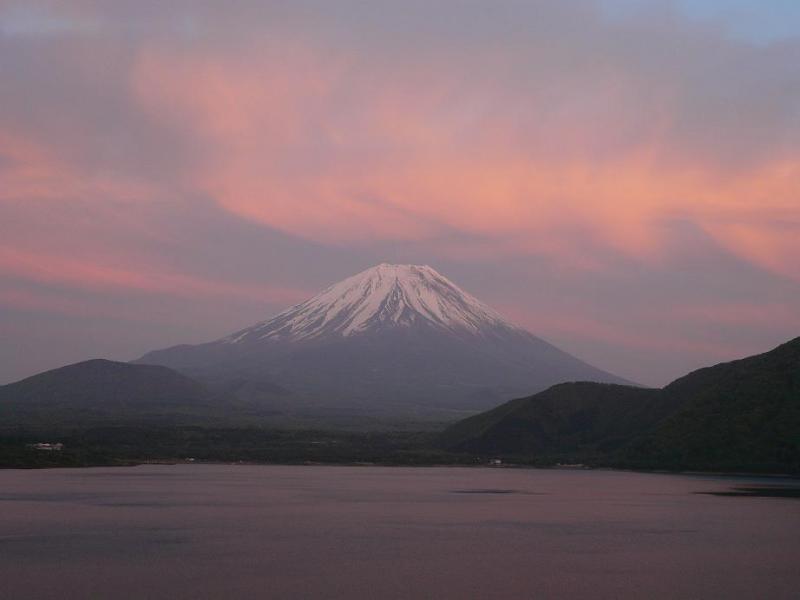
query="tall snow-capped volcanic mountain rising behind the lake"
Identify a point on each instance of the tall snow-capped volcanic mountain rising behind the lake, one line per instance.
(400, 340)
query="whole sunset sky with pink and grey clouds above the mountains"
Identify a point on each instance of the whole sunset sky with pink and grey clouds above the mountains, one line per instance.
(621, 177)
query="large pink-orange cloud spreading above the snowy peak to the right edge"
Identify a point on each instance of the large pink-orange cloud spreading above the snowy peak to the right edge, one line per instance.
(324, 147)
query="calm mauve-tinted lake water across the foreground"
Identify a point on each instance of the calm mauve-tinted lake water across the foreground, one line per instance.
(220, 531)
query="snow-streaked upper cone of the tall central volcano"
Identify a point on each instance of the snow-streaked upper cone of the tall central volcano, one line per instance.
(382, 296)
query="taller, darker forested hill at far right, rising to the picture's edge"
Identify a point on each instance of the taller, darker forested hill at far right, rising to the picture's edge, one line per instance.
(741, 414)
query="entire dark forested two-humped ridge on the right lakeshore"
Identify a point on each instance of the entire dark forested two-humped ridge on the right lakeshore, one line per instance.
(739, 415)
